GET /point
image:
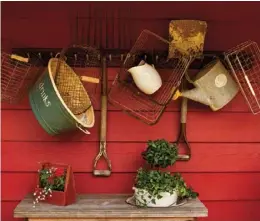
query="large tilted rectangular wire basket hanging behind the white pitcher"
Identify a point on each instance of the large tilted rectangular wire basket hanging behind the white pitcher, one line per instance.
(124, 93)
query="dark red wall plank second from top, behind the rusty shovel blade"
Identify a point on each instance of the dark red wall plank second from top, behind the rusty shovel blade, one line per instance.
(61, 31)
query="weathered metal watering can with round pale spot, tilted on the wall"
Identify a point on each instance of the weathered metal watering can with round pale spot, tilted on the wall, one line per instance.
(214, 86)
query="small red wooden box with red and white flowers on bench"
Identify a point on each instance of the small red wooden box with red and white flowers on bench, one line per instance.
(55, 185)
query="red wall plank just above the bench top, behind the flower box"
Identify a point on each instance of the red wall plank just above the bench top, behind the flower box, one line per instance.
(220, 186)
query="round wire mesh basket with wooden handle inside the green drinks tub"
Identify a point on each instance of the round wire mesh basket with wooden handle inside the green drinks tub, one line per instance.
(78, 97)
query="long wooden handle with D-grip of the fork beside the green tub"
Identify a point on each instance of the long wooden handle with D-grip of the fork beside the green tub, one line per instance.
(103, 128)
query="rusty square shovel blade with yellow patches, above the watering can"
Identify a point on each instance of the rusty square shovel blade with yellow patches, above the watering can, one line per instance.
(187, 38)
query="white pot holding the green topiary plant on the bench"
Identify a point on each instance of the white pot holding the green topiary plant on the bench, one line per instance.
(166, 200)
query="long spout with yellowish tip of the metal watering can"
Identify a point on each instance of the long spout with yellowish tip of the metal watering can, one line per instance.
(195, 94)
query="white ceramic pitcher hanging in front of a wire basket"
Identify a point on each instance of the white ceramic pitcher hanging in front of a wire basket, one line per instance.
(146, 78)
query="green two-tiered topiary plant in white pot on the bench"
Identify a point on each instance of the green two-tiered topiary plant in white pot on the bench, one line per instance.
(154, 187)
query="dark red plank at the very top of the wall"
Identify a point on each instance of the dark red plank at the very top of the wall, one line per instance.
(185, 10)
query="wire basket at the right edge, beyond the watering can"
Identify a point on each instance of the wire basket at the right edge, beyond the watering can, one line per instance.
(244, 61)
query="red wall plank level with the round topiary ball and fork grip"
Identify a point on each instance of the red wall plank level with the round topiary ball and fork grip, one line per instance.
(125, 157)
